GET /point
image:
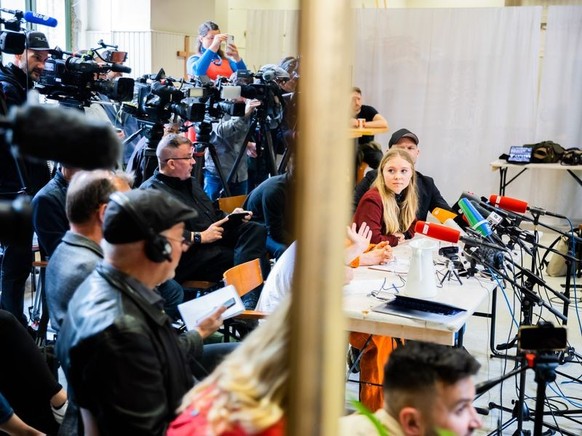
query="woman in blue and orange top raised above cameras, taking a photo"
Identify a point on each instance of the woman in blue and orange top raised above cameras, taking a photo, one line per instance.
(211, 61)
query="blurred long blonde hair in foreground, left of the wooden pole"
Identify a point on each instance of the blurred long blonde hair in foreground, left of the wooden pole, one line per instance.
(250, 387)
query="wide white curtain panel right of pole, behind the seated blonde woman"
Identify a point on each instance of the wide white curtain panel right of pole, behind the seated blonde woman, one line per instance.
(464, 80)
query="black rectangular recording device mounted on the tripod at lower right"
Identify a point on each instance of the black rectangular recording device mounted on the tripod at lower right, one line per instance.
(542, 338)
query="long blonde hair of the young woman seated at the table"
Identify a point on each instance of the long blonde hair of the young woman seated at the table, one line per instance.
(397, 217)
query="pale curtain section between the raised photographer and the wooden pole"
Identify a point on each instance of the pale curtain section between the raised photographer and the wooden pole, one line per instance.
(270, 36)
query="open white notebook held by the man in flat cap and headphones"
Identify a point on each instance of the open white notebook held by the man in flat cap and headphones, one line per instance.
(194, 311)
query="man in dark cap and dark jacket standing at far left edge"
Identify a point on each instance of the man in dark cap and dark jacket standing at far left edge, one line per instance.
(18, 176)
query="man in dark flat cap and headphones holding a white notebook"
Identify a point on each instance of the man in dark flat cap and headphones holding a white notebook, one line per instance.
(127, 370)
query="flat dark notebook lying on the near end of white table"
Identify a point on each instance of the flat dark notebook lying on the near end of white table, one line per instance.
(416, 308)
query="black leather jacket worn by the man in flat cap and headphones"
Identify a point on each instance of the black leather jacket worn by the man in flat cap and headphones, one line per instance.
(123, 360)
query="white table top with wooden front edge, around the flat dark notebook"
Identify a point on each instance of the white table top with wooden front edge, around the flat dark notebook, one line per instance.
(358, 303)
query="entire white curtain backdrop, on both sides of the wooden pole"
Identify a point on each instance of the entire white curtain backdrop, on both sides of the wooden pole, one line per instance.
(468, 83)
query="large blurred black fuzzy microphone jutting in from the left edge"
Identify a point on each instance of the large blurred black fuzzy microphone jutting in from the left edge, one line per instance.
(48, 132)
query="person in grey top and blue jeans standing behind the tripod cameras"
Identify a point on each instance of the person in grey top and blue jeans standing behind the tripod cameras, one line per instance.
(227, 138)
